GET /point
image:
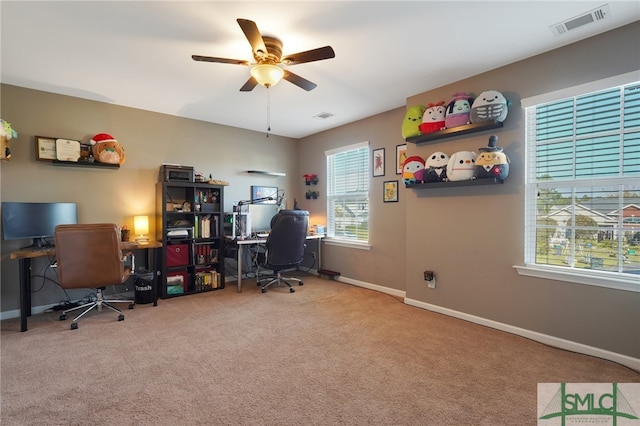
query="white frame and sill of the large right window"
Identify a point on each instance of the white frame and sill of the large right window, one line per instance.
(615, 280)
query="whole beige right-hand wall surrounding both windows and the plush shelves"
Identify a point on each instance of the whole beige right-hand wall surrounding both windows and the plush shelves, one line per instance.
(472, 236)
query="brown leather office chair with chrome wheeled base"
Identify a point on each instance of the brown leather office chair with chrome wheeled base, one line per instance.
(89, 256)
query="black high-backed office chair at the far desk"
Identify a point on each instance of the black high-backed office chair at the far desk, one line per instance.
(285, 247)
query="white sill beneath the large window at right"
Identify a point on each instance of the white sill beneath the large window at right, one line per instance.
(600, 279)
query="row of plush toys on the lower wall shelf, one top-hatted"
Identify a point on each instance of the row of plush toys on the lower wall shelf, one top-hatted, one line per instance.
(492, 162)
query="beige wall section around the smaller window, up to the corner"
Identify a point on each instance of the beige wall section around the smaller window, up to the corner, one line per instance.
(383, 265)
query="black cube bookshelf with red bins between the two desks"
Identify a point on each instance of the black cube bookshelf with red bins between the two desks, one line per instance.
(189, 222)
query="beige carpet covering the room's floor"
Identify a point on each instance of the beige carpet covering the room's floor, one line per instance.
(330, 353)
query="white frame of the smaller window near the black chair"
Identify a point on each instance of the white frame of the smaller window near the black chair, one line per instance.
(363, 176)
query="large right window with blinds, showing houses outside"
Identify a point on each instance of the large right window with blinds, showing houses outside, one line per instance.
(583, 187)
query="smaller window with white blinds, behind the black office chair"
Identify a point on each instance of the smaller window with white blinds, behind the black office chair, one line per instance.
(348, 193)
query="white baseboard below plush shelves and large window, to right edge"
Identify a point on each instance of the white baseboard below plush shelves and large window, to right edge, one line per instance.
(633, 363)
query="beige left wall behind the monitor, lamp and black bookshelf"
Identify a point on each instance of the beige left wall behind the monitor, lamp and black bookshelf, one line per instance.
(149, 139)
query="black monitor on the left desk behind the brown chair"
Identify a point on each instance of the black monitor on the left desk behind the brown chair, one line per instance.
(36, 221)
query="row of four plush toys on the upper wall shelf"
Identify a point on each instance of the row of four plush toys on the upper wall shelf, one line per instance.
(461, 109)
